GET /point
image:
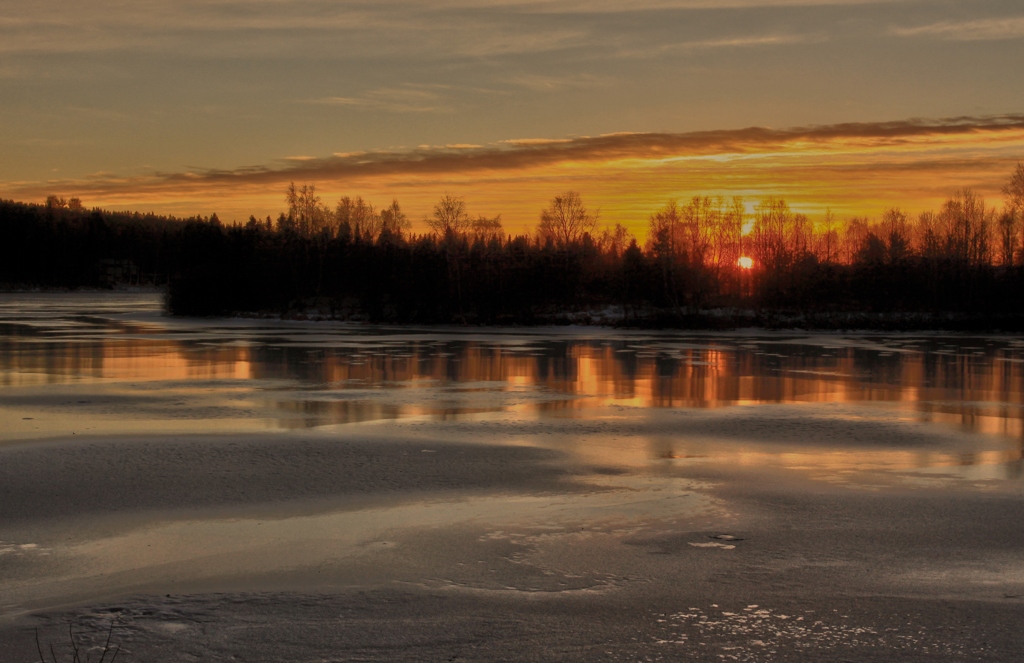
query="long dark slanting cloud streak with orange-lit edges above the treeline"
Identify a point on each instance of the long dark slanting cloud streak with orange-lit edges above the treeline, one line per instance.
(521, 155)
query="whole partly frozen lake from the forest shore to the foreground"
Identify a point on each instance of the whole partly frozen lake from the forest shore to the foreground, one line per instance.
(318, 491)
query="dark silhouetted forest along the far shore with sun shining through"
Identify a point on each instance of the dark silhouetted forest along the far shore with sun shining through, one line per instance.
(705, 263)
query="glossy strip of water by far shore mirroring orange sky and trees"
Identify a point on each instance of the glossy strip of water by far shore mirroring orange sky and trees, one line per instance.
(838, 407)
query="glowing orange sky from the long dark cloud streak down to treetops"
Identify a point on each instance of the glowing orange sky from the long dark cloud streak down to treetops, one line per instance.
(856, 170)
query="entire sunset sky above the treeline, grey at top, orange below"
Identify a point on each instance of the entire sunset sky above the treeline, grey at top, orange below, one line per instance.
(194, 107)
